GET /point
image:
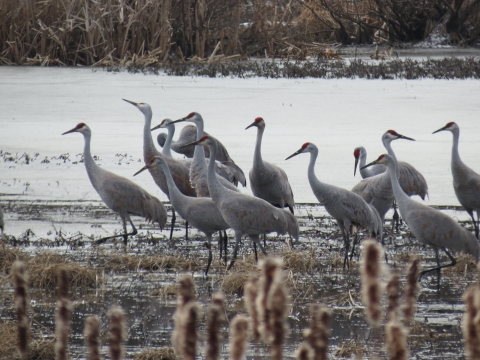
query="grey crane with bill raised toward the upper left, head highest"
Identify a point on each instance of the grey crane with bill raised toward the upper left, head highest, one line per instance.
(179, 171)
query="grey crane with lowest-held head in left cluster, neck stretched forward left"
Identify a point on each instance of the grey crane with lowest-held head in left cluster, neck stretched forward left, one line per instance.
(201, 213)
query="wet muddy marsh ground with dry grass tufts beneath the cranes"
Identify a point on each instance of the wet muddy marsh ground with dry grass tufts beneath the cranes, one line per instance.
(142, 278)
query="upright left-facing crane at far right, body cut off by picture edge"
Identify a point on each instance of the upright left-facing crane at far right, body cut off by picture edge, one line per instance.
(466, 182)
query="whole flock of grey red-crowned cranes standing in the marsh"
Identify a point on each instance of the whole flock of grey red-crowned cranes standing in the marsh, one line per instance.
(203, 191)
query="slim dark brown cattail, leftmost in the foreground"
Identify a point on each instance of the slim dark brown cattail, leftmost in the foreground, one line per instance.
(20, 294)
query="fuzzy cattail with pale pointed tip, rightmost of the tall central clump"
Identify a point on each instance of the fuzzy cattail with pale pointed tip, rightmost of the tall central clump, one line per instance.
(277, 305)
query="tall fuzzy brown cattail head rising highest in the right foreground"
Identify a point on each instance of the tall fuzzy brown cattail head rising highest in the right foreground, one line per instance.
(371, 285)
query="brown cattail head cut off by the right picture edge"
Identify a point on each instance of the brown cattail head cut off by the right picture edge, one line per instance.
(470, 331)
